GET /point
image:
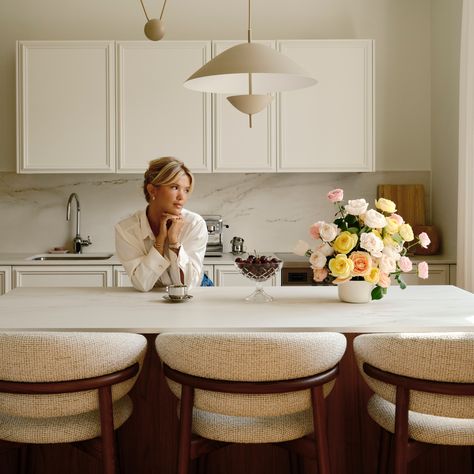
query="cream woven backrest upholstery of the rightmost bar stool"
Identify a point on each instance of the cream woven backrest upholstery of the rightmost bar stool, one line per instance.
(445, 357)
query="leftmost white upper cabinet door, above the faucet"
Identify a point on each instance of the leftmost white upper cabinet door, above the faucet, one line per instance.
(65, 107)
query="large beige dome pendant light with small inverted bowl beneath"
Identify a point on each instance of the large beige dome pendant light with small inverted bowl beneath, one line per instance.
(251, 71)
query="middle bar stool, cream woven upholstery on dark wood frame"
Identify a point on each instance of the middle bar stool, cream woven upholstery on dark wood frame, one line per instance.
(251, 388)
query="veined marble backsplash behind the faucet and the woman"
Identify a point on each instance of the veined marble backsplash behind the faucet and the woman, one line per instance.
(270, 211)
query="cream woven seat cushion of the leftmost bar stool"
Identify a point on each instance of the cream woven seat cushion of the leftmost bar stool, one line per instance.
(60, 429)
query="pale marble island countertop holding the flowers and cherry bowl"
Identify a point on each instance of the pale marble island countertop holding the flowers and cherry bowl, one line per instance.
(415, 309)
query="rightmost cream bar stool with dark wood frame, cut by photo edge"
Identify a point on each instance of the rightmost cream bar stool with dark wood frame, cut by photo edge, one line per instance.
(424, 391)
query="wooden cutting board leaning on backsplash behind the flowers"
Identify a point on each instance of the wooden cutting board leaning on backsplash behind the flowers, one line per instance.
(409, 198)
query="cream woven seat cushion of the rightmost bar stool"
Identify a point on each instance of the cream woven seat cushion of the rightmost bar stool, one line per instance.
(425, 428)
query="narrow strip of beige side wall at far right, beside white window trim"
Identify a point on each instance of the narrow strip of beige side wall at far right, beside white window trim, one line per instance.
(446, 37)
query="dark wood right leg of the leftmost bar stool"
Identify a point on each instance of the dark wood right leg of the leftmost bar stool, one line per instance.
(107, 430)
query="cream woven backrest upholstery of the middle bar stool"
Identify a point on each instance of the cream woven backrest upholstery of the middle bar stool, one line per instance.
(251, 357)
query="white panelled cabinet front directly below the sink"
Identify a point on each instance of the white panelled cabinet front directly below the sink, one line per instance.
(97, 276)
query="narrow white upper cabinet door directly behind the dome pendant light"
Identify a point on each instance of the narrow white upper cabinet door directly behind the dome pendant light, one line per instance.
(238, 148)
